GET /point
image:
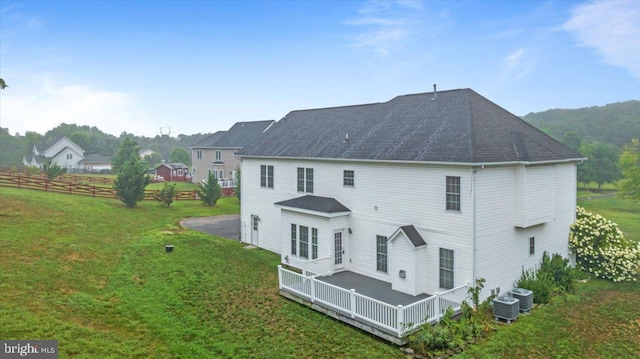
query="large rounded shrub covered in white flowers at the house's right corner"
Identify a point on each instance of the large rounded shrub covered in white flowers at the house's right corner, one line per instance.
(601, 248)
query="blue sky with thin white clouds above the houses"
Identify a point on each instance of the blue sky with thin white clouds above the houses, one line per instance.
(200, 66)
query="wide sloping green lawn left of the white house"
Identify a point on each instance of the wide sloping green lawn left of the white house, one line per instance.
(94, 275)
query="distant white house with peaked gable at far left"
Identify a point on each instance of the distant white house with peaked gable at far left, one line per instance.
(63, 152)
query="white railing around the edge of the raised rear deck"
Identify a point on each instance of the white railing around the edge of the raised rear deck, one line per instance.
(397, 319)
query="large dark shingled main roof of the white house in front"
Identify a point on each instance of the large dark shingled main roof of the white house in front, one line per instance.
(458, 126)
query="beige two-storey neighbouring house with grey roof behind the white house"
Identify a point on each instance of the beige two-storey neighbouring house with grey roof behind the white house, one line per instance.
(217, 152)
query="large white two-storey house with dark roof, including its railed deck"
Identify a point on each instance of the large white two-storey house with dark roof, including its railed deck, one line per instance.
(407, 202)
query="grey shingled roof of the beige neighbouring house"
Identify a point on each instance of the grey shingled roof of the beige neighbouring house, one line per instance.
(238, 135)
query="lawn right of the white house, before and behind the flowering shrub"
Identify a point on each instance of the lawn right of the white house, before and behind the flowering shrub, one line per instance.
(600, 320)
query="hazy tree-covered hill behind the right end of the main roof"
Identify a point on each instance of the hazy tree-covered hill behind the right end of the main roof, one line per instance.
(616, 123)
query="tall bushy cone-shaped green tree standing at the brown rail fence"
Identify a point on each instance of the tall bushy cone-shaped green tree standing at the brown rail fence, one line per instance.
(131, 181)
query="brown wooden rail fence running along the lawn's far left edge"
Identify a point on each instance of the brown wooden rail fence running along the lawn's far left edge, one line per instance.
(40, 183)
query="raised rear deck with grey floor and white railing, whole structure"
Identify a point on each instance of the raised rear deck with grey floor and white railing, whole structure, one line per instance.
(368, 303)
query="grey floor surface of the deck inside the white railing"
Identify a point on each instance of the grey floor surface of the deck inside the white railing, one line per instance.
(371, 287)
